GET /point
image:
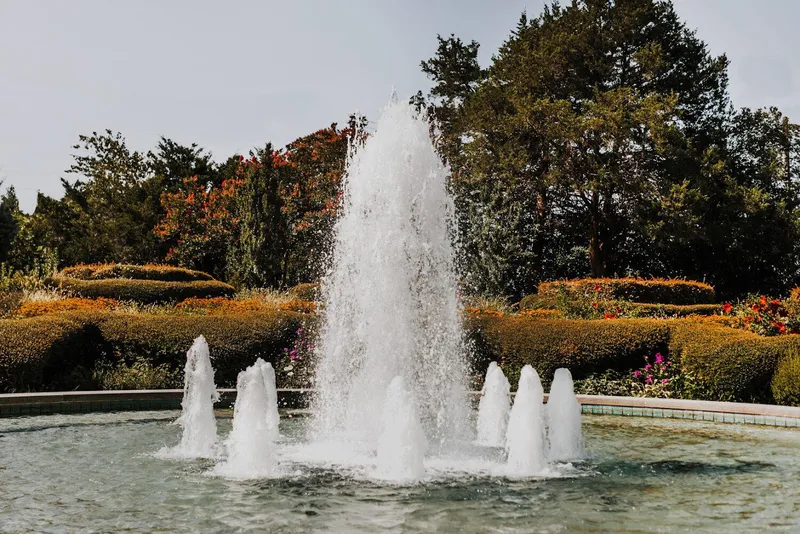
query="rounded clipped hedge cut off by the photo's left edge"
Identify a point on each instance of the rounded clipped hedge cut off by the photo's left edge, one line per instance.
(56, 352)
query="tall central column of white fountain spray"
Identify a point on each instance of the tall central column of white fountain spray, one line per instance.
(391, 306)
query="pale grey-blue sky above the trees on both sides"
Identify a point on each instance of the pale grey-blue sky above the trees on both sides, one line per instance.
(233, 75)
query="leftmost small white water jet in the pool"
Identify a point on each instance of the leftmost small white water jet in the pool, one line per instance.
(199, 438)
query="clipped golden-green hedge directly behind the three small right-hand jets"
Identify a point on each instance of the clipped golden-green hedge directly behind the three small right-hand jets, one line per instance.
(585, 347)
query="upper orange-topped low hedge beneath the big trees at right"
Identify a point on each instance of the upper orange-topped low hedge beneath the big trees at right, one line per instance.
(653, 291)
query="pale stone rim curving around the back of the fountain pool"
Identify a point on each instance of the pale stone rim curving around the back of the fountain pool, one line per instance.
(21, 404)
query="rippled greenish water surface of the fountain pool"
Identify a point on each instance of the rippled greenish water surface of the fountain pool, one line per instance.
(96, 473)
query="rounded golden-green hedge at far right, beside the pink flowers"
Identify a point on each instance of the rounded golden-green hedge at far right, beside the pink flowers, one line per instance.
(730, 364)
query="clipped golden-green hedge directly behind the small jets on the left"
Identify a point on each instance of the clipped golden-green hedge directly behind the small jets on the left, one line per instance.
(235, 340)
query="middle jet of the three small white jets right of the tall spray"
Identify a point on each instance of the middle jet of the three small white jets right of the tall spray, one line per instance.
(525, 436)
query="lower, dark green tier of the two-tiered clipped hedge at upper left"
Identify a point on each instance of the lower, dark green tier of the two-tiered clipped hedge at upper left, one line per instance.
(144, 291)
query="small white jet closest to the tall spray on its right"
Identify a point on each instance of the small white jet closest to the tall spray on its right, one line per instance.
(493, 408)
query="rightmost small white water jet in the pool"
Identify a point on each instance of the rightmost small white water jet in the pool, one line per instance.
(565, 435)
